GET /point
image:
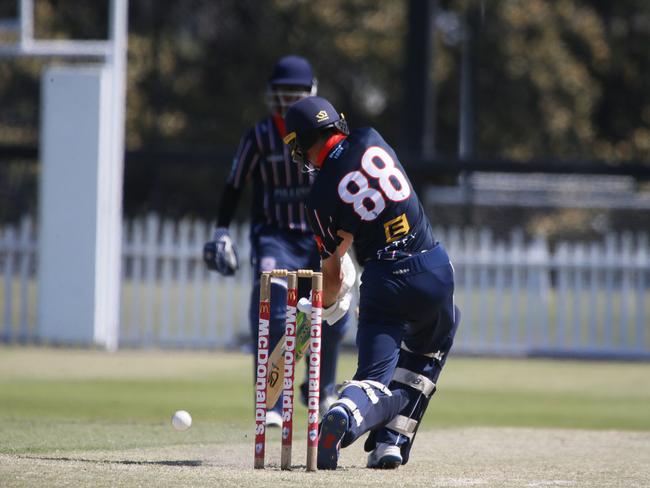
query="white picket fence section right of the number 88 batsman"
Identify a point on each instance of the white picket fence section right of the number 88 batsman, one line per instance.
(581, 299)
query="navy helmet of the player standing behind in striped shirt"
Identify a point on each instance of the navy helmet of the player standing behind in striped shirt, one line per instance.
(292, 79)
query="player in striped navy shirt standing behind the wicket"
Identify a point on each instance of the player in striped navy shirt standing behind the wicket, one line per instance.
(280, 234)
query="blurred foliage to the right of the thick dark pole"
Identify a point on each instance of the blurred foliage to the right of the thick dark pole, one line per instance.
(550, 79)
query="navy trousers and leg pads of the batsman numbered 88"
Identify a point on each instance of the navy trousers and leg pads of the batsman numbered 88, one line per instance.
(407, 322)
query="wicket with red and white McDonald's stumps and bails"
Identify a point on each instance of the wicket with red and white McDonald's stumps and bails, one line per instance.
(313, 399)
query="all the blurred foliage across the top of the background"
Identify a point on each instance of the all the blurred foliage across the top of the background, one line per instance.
(564, 79)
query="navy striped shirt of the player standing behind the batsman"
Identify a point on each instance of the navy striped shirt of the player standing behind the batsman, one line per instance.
(279, 185)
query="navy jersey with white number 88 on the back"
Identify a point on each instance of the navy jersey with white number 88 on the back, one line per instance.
(362, 189)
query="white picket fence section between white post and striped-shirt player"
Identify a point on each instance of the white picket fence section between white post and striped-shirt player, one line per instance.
(170, 299)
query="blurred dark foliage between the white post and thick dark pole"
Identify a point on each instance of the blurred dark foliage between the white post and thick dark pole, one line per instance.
(203, 81)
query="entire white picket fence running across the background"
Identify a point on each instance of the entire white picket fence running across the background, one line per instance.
(516, 297)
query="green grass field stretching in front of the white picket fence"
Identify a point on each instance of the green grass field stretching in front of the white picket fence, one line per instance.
(67, 403)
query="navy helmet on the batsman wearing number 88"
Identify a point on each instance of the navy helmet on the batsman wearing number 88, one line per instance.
(306, 120)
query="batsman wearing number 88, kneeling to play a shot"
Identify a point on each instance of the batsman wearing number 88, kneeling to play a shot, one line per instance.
(361, 197)
